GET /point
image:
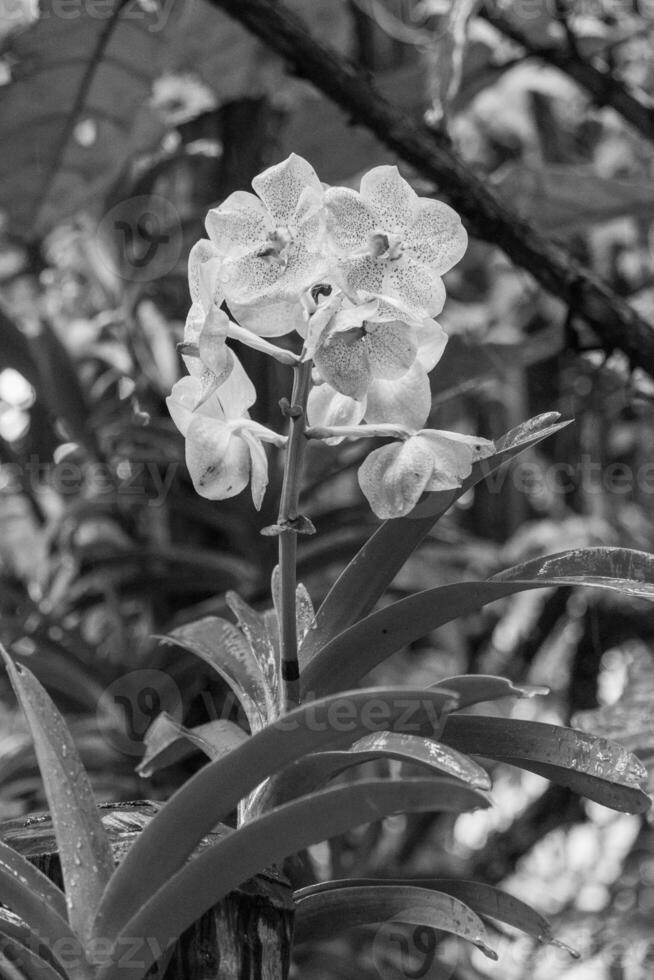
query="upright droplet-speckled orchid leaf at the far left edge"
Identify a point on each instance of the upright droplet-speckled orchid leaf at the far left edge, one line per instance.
(84, 848)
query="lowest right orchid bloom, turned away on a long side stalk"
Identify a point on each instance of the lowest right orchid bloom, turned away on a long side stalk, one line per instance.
(393, 477)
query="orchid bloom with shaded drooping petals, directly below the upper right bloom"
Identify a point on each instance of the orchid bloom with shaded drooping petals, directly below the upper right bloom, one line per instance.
(374, 364)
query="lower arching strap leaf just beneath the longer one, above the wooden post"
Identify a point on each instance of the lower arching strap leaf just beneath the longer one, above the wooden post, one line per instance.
(217, 870)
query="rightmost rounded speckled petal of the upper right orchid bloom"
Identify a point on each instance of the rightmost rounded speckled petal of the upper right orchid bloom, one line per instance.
(437, 238)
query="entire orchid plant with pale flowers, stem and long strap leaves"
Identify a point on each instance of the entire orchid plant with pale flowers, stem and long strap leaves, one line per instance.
(358, 277)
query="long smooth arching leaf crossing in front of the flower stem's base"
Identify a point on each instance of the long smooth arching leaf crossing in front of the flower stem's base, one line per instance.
(214, 791)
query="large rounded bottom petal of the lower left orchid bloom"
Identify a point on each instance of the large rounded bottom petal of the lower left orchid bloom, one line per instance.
(217, 460)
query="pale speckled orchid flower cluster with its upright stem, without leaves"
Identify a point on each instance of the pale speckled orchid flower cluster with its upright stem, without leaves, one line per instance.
(358, 276)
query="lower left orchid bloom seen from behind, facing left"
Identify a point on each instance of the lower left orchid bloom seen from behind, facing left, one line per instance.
(224, 450)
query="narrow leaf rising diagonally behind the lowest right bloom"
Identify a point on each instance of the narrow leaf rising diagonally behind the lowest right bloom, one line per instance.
(374, 567)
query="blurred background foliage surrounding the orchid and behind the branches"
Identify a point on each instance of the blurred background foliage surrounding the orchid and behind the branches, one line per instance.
(120, 128)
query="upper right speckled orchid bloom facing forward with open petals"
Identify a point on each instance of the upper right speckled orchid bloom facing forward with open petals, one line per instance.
(388, 241)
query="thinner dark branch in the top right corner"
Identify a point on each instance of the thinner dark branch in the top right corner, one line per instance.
(603, 87)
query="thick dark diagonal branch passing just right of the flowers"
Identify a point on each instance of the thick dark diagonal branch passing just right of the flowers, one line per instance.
(616, 323)
